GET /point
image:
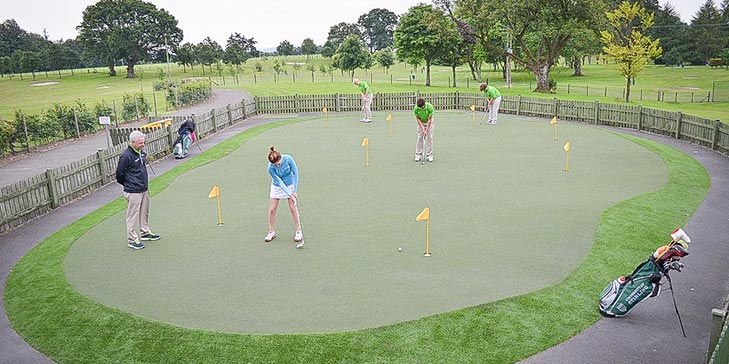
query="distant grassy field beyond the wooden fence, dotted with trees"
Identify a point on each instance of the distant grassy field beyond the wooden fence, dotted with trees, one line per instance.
(93, 85)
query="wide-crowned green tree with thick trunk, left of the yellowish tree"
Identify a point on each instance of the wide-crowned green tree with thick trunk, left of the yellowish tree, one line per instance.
(540, 28)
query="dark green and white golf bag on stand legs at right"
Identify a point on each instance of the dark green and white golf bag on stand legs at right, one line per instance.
(622, 294)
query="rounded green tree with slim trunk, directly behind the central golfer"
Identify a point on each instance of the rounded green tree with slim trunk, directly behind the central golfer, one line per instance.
(422, 35)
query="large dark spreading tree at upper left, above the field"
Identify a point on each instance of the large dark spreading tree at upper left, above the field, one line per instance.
(131, 30)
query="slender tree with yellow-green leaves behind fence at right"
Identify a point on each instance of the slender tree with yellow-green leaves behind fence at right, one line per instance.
(625, 40)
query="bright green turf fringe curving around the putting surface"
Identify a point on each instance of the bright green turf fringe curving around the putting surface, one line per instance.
(69, 327)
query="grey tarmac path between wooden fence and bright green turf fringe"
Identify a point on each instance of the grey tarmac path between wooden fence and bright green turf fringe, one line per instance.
(650, 334)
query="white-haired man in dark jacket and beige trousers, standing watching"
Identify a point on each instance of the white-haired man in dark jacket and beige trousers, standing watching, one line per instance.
(131, 172)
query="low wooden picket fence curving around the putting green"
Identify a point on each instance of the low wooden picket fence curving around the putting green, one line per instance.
(28, 199)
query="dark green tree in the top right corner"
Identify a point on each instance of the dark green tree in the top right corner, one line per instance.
(707, 37)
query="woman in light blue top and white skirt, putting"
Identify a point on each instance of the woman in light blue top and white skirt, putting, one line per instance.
(284, 183)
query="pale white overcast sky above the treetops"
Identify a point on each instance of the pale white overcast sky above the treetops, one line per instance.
(268, 22)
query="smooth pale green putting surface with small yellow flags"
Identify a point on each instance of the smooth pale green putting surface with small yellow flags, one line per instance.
(505, 220)
